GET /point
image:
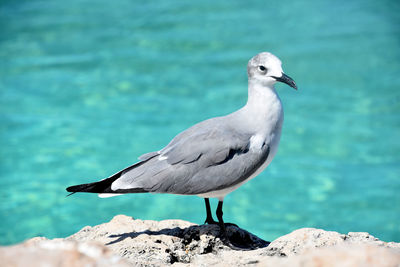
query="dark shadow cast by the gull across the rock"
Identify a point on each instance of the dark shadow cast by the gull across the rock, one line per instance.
(210, 235)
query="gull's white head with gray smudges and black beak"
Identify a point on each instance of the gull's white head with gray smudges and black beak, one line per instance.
(266, 69)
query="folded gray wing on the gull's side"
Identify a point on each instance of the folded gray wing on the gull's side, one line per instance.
(204, 158)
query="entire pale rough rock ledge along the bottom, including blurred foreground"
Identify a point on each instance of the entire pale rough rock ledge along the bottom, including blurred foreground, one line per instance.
(128, 242)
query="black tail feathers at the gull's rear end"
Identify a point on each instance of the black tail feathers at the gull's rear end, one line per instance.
(104, 186)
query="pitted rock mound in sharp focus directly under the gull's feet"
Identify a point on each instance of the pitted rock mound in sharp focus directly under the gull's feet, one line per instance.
(164, 242)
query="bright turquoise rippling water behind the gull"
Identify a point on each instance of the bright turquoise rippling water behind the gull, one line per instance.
(87, 87)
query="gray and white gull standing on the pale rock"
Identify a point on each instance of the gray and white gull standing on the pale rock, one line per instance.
(216, 156)
